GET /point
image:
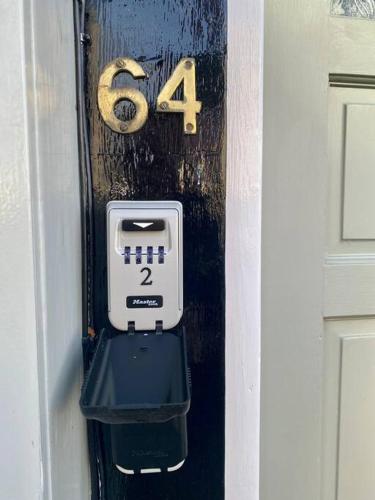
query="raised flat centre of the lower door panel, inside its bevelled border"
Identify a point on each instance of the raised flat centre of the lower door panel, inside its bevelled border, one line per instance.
(356, 447)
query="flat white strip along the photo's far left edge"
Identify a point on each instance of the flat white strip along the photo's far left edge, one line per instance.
(19, 415)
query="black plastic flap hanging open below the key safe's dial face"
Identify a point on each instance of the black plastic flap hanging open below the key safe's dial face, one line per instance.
(138, 378)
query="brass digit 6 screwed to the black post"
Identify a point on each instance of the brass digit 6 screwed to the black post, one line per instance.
(108, 97)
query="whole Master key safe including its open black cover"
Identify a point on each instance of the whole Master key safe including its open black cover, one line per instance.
(139, 380)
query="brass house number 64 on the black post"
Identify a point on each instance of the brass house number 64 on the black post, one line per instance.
(109, 97)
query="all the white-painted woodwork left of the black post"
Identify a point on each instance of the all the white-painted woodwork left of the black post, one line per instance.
(42, 431)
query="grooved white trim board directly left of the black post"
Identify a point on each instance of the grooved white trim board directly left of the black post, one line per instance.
(55, 211)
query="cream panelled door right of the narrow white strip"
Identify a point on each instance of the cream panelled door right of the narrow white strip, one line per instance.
(318, 278)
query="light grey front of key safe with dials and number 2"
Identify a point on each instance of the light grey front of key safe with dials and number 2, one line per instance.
(144, 264)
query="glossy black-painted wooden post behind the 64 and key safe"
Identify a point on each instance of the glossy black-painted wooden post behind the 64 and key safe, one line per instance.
(160, 162)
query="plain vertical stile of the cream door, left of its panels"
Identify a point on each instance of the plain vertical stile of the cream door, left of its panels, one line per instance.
(293, 245)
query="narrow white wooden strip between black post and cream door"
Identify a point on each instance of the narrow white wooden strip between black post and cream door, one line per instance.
(243, 241)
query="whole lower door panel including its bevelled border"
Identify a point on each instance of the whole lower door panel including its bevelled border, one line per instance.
(349, 404)
